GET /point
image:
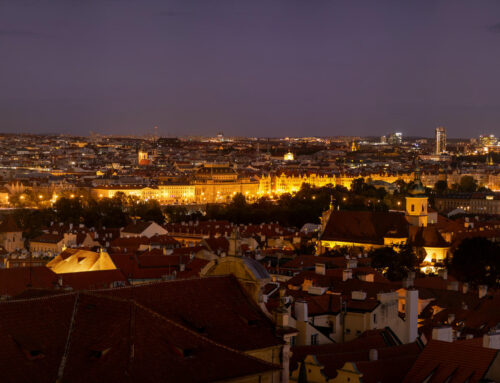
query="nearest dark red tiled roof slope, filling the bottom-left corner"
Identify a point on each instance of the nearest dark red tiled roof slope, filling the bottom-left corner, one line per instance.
(106, 339)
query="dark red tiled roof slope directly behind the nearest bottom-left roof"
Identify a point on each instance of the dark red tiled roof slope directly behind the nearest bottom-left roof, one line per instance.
(217, 307)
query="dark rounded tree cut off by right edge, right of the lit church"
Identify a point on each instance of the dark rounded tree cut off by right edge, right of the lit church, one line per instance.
(477, 261)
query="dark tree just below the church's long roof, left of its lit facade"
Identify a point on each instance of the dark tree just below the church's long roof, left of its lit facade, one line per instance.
(394, 263)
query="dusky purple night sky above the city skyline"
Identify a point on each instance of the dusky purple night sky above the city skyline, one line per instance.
(254, 67)
